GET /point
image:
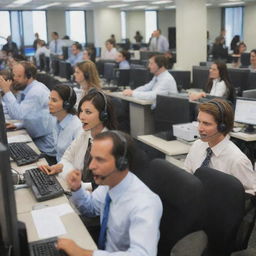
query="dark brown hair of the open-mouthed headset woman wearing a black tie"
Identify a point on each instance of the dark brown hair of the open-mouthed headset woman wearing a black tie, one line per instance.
(99, 103)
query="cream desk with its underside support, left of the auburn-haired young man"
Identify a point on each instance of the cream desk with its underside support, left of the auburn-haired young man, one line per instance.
(172, 149)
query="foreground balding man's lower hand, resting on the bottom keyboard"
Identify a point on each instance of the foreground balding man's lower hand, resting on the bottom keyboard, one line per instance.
(71, 248)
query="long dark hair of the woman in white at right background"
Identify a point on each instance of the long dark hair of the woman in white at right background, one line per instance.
(223, 71)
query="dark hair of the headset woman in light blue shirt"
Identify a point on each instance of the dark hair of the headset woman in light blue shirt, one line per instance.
(67, 94)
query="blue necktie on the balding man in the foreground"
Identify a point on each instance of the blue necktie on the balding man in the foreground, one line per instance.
(103, 229)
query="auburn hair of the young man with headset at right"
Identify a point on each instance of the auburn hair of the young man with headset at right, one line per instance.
(224, 114)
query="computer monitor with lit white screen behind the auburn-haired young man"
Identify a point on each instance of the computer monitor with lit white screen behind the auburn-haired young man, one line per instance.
(245, 113)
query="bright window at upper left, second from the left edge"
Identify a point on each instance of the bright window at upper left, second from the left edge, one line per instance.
(33, 21)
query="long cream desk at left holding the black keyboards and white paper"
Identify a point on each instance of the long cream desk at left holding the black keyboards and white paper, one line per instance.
(25, 201)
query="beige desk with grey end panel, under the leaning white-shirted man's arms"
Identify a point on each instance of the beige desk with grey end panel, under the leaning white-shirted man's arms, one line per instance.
(141, 118)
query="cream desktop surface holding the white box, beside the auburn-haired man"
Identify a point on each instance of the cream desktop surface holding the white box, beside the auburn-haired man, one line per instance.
(171, 148)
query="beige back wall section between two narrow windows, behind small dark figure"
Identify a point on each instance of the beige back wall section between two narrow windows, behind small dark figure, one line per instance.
(135, 21)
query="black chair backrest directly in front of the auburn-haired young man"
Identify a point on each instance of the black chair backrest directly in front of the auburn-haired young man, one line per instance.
(224, 200)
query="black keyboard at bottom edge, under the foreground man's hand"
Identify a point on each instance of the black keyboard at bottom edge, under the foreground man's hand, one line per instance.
(45, 247)
